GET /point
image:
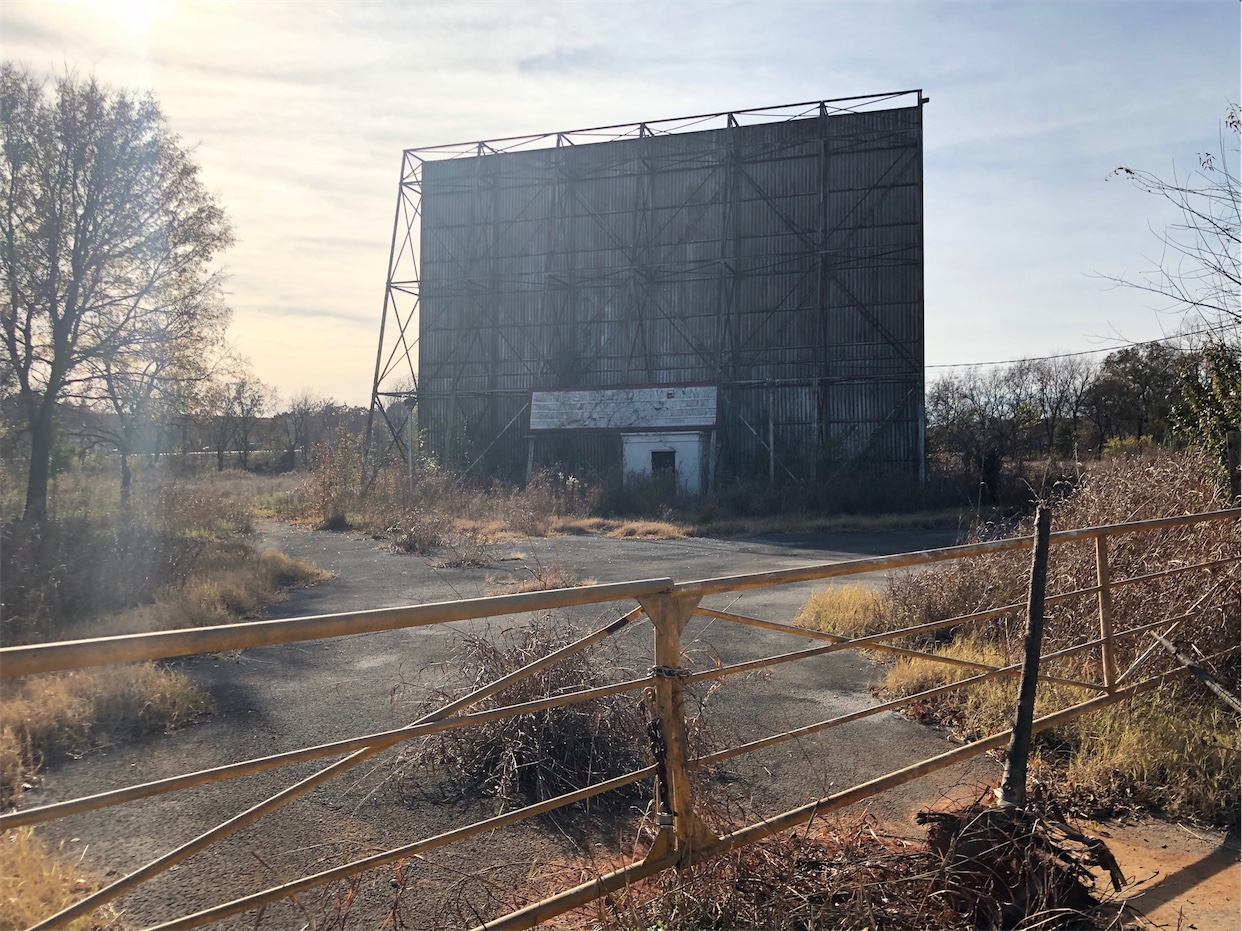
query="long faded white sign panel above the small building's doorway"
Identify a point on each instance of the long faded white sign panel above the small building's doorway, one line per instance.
(624, 409)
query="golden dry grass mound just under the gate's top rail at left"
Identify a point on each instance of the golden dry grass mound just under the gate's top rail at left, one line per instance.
(66, 714)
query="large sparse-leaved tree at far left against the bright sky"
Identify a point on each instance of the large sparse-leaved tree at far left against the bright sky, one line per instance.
(106, 235)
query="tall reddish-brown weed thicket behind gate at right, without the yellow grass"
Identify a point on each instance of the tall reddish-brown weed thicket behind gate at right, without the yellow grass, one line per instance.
(1111, 493)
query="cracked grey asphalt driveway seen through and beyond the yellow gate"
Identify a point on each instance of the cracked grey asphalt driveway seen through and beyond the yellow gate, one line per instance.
(281, 698)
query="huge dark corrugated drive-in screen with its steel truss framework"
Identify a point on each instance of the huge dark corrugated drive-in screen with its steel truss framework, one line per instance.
(774, 253)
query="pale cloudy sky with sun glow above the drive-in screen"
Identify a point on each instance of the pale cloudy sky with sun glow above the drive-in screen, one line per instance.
(299, 114)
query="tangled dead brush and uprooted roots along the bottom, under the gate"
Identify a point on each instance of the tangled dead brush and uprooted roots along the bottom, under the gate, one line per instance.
(1031, 871)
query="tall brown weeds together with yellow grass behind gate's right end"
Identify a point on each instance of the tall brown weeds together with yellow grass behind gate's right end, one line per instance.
(1174, 750)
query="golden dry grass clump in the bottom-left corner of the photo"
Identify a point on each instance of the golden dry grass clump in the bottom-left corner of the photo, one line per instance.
(38, 881)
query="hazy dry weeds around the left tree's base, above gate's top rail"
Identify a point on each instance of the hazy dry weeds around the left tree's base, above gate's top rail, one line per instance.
(95, 560)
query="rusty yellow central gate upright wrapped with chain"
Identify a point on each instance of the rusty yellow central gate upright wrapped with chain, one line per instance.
(670, 615)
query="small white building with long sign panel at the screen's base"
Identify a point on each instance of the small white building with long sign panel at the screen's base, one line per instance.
(665, 428)
